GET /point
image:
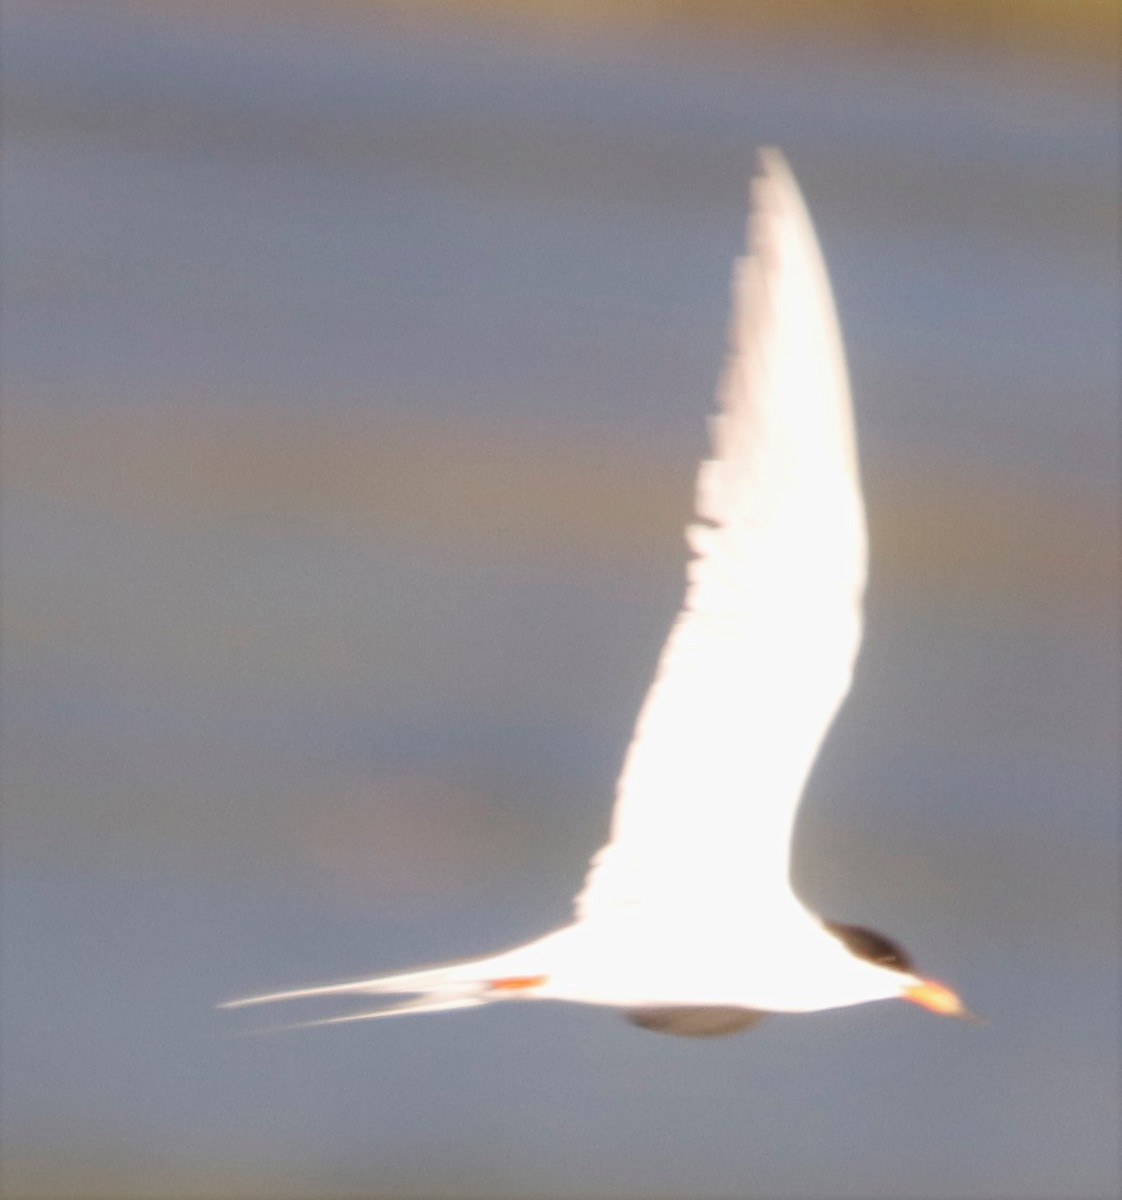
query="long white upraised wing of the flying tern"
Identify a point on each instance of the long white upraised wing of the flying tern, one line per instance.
(763, 653)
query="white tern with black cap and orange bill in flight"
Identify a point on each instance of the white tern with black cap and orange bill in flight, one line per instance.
(687, 921)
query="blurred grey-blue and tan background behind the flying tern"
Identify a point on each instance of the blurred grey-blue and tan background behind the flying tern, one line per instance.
(356, 368)
